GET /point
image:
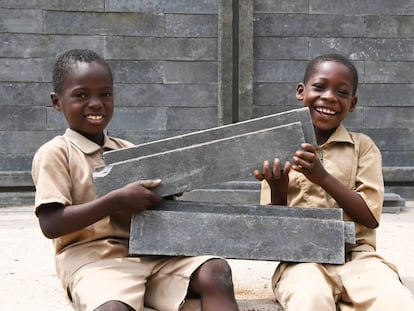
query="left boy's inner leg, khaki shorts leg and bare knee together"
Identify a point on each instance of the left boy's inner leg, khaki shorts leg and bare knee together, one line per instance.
(210, 278)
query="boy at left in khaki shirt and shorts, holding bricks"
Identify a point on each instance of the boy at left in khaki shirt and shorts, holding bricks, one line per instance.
(91, 234)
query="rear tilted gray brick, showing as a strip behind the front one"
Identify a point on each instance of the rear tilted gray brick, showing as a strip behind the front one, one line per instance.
(296, 115)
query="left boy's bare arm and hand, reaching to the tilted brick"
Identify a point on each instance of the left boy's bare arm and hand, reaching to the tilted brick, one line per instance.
(56, 220)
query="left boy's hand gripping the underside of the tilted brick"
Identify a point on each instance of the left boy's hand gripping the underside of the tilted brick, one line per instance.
(137, 196)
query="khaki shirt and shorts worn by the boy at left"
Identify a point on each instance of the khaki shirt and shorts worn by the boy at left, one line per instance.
(93, 263)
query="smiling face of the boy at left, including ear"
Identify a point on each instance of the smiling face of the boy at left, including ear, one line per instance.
(87, 99)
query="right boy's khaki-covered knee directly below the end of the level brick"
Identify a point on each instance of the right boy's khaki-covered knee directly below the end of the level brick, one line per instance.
(305, 287)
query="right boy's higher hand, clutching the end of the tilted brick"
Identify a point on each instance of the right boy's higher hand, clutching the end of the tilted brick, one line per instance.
(307, 162)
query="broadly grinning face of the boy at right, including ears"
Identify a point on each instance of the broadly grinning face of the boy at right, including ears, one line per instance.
(329, 94)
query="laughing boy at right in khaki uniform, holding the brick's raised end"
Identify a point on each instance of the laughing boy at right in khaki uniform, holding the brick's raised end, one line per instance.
(343, 171)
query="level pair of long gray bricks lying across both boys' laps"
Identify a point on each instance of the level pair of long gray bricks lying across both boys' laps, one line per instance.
(242, 234)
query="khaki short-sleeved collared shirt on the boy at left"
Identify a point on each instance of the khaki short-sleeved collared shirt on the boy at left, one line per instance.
(62, 173)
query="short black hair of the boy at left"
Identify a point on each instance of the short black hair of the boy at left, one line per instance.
(66, 60)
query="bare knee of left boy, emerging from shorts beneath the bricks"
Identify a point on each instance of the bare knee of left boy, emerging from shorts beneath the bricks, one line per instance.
(213, 283)
